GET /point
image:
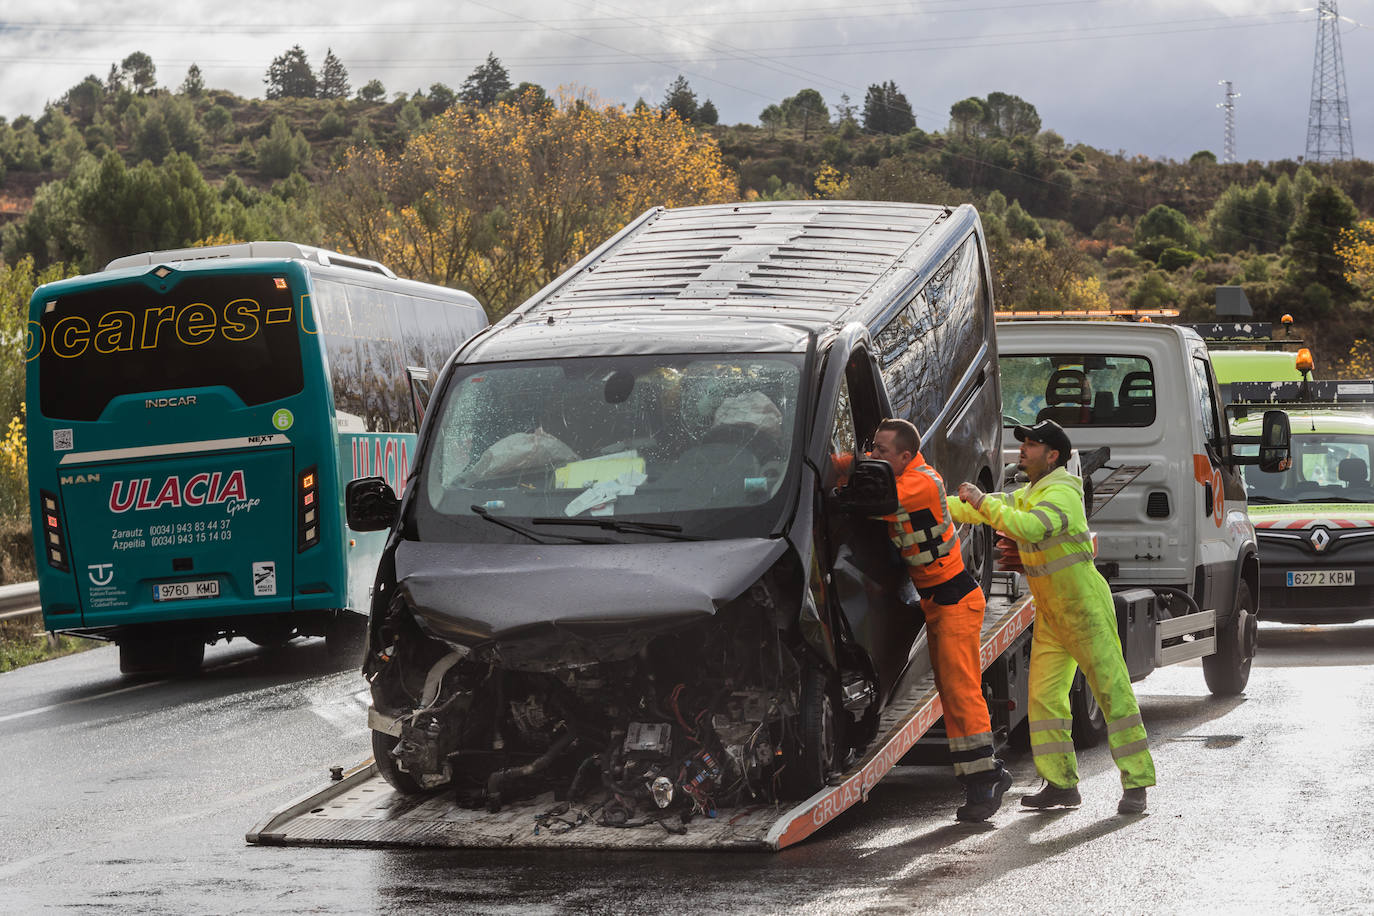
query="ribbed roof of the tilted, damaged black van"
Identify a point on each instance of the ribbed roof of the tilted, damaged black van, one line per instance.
(809, 263)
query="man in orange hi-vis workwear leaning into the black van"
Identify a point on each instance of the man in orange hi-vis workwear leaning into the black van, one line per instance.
(954, 604)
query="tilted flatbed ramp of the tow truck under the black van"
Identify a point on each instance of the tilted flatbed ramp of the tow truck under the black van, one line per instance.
(363, 810)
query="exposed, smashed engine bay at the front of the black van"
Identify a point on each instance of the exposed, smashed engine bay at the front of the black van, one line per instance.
(723, 712)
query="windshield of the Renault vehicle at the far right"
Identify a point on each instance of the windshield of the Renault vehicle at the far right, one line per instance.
(1328, 468)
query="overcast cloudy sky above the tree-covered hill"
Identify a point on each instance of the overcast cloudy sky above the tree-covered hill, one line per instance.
(1138, 76)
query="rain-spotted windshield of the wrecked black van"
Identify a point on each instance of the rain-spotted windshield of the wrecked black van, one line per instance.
(700, 446)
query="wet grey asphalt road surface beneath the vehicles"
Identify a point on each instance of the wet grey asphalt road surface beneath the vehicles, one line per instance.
(126, 797)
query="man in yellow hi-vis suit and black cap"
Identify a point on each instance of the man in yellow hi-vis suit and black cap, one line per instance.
(1075, 620)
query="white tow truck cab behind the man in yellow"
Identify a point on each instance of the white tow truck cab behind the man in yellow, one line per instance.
(1169, 507)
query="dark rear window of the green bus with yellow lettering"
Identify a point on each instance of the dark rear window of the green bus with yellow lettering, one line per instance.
(238, 332)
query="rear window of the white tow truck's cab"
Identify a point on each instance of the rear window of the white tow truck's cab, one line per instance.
(1077, 389)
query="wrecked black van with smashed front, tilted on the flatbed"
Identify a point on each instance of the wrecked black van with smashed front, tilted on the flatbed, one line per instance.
(622, 566)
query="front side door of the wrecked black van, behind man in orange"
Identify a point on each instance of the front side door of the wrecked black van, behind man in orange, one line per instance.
(869, 580)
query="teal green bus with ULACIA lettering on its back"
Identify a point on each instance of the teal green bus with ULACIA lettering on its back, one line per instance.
(193, 420)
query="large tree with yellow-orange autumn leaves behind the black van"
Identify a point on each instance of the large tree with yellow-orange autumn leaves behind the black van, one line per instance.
(499, 201)
